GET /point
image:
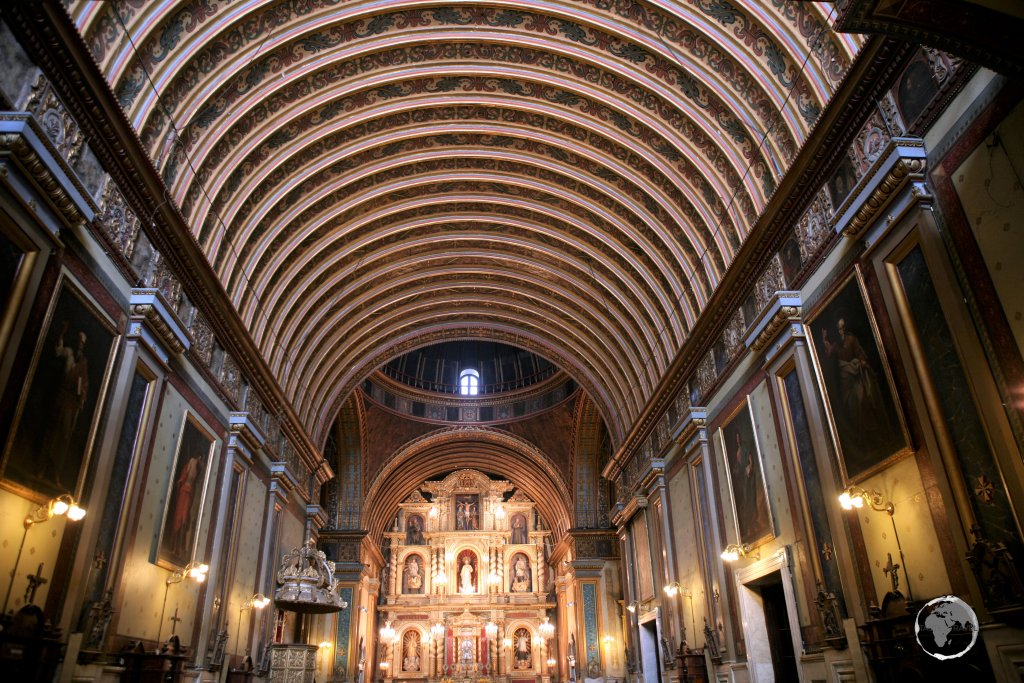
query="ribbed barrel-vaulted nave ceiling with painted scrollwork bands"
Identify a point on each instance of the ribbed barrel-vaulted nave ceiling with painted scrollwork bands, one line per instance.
(571, 177)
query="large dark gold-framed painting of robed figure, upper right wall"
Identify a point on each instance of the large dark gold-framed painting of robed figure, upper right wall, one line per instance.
(859, 389)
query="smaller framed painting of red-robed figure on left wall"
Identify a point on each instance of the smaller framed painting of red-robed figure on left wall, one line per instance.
(187, 491)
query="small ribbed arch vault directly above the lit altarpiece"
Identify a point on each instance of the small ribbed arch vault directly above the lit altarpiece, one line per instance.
(468, 448)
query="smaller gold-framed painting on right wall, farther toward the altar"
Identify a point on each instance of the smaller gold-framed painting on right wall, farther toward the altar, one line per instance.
(745, 472)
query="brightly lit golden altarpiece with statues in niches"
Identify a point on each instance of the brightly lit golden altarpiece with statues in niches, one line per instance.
(466, 591)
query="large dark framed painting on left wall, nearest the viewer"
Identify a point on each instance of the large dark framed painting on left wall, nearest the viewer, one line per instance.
(56, 420)
